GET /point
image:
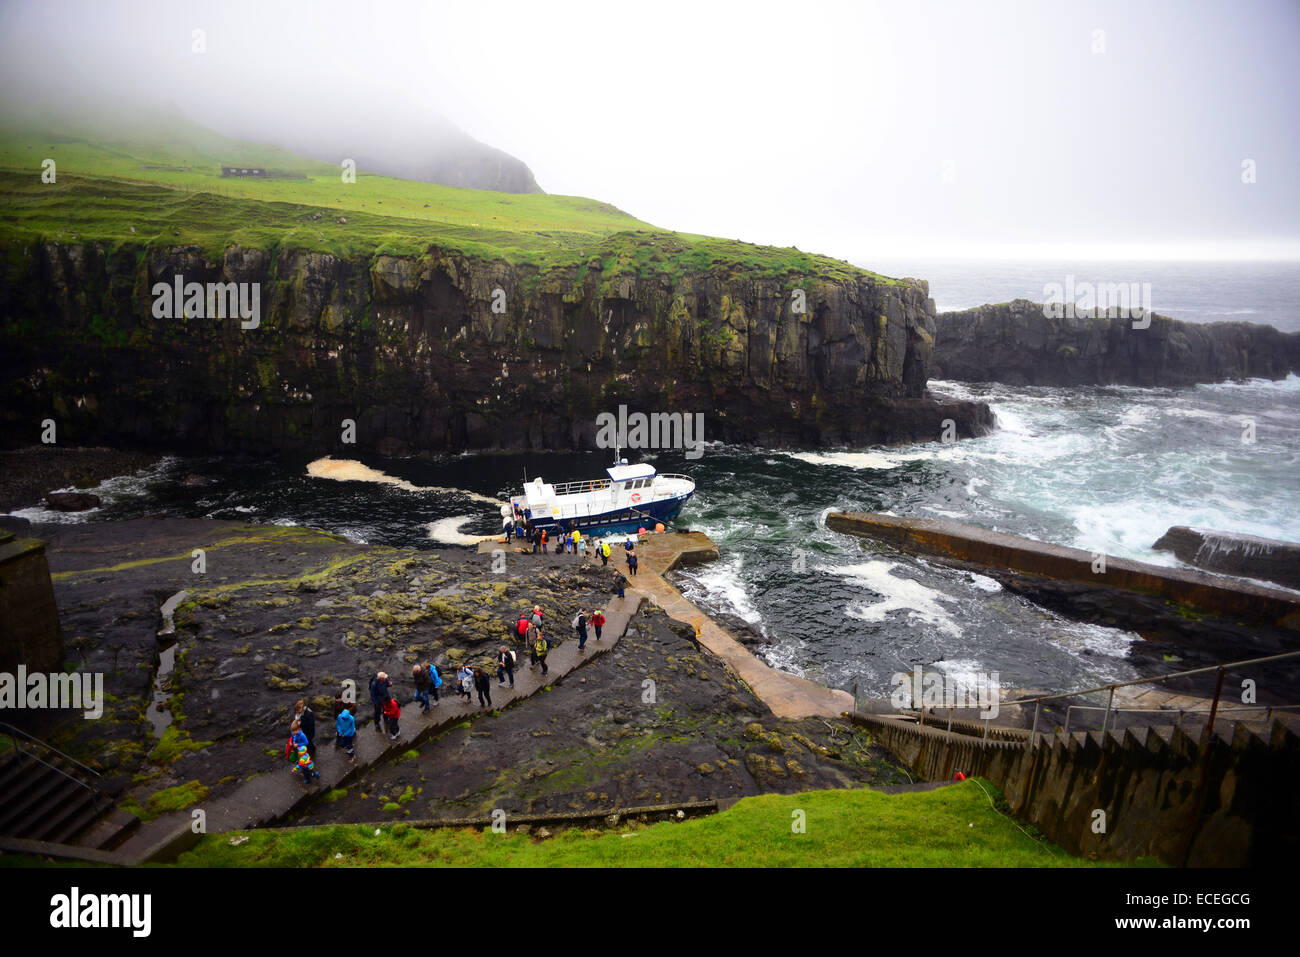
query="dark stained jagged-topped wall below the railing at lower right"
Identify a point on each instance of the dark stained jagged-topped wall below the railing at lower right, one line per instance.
(1221, 802)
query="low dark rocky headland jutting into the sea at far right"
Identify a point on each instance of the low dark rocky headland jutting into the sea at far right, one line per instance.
(1016, 344)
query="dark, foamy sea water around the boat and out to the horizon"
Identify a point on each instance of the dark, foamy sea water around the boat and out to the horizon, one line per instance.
(1102, 469)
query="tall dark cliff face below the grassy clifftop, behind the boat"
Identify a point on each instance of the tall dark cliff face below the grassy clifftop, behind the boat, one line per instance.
(424, 354)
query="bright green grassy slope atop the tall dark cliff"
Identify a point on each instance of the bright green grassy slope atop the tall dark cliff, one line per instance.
(161, 188)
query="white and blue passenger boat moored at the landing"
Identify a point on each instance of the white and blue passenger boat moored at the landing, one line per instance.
(630, 499)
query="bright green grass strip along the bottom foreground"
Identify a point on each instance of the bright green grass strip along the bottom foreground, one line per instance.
(952, 826)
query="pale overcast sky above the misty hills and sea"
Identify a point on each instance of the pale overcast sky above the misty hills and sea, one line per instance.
(856, 129)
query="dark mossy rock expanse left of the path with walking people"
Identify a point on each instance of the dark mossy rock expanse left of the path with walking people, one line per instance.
(278, 614)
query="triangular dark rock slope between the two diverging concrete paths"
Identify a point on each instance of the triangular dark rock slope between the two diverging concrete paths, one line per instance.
(595, 742)
